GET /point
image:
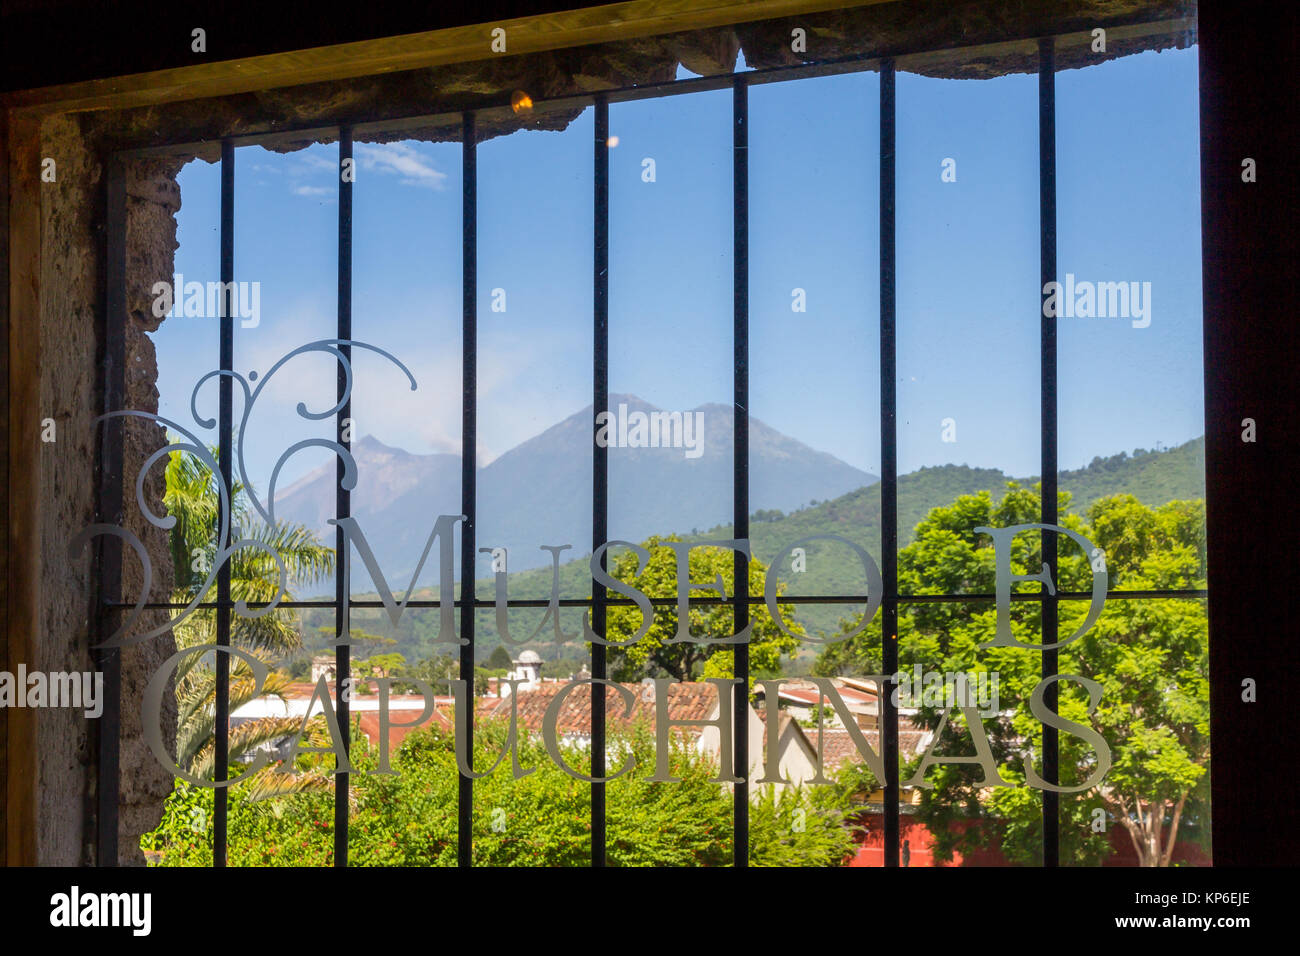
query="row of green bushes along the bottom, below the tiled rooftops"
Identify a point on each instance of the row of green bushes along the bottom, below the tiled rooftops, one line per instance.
(541, 820)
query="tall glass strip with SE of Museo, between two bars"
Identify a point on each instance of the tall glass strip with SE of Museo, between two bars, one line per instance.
(670, 352)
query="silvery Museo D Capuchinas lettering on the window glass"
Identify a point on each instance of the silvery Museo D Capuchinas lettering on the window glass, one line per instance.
(443, 533)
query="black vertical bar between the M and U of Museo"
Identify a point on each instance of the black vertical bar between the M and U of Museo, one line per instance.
(469, 442)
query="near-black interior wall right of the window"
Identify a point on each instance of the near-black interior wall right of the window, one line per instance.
(1249, 59)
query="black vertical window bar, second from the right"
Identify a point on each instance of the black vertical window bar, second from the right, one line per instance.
(889, 462)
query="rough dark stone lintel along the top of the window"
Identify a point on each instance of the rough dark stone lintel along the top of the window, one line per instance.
(960, 31)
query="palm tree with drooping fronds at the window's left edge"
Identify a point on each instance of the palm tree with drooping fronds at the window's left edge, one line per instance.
(193, 499)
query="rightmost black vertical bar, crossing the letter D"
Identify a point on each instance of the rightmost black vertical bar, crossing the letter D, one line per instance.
(1048, 429)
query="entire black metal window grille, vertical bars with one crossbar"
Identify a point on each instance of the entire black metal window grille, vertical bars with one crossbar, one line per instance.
(110, 557)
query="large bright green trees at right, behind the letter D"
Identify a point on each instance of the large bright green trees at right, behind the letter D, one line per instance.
(1151, 657)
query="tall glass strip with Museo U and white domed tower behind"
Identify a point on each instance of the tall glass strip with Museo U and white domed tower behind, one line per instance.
(535, 482)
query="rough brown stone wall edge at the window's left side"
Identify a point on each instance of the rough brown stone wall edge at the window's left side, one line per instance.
(72, 395)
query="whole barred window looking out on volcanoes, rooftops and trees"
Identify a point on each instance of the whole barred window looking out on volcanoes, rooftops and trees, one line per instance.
(829, 232)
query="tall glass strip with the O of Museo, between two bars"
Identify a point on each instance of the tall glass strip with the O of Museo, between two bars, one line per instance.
(814, 453)
